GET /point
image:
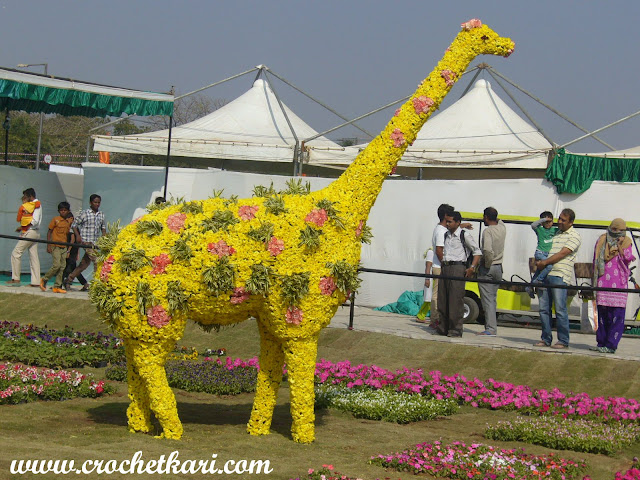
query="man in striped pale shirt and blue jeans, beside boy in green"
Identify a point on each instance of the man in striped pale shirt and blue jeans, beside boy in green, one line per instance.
(562, 256)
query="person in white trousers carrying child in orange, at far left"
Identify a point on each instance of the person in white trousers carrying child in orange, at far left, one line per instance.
(29, 217)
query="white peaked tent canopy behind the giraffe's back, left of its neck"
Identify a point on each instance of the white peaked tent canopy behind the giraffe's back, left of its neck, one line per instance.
(251, 127)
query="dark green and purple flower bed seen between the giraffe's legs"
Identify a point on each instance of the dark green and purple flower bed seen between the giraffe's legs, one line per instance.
(210, 376)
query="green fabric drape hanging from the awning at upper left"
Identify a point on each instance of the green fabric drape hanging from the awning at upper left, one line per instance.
(38, 98)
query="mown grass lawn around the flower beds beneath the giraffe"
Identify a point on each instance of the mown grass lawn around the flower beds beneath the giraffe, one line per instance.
(82, 429)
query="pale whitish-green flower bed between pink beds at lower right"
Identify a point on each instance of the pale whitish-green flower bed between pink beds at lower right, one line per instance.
(567, 434)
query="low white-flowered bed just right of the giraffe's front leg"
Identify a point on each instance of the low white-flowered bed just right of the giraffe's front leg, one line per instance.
(384, 405)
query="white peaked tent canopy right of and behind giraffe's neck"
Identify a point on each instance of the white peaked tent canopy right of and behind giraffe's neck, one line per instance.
(478, 131)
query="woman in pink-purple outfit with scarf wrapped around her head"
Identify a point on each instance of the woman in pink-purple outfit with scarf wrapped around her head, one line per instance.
(611, 258)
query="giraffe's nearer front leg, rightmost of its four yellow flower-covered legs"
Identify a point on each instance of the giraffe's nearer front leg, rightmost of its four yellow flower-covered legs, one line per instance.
(300, 357)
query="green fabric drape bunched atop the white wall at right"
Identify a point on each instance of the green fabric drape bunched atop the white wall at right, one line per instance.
(572, 173)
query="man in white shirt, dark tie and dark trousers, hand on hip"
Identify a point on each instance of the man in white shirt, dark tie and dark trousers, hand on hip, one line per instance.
(451, 292)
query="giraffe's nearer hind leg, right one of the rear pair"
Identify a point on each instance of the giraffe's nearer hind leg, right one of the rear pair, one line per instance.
(150, 360)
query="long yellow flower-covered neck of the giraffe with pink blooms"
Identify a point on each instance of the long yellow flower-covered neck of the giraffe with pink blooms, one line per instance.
(361, 183)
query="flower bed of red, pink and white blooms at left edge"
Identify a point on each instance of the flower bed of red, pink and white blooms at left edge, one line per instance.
(19, 384)
